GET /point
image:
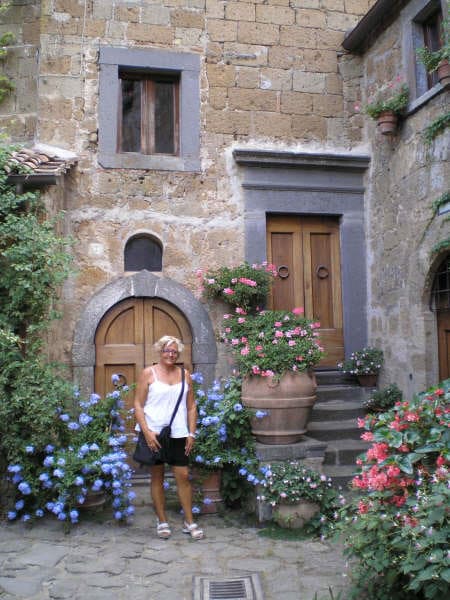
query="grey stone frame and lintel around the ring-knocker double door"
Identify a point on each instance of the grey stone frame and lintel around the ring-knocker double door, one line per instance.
(296, 183)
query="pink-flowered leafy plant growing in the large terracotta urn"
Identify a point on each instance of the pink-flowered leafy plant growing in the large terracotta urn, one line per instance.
(272, 342)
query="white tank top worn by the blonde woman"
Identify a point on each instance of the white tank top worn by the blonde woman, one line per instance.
(158, 408)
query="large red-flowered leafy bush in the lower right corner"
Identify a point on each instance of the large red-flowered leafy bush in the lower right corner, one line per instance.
(397, 525)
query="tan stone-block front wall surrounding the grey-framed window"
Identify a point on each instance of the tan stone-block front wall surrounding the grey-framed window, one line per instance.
(273, 75)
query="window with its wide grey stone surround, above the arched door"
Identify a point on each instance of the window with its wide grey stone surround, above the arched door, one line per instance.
(149, 109)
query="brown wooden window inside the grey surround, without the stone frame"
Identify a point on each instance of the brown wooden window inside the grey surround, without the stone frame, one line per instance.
(148, 113)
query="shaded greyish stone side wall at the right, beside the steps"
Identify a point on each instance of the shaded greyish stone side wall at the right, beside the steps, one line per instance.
(406, 176)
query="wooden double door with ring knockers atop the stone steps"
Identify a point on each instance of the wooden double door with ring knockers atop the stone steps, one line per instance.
(306, 251)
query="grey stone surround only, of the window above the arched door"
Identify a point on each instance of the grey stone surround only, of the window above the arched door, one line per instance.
(187, 66)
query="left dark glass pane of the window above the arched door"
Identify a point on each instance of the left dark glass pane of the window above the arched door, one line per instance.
(131, 116)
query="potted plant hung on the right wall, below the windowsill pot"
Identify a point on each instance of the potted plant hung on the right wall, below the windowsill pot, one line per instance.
(386, 104)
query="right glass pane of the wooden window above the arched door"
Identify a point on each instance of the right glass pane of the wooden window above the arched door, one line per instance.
(164, 118)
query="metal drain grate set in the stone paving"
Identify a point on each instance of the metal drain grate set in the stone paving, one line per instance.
(231, 588)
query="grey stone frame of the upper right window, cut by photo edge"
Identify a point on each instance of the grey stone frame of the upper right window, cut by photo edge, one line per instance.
(411, 17)
